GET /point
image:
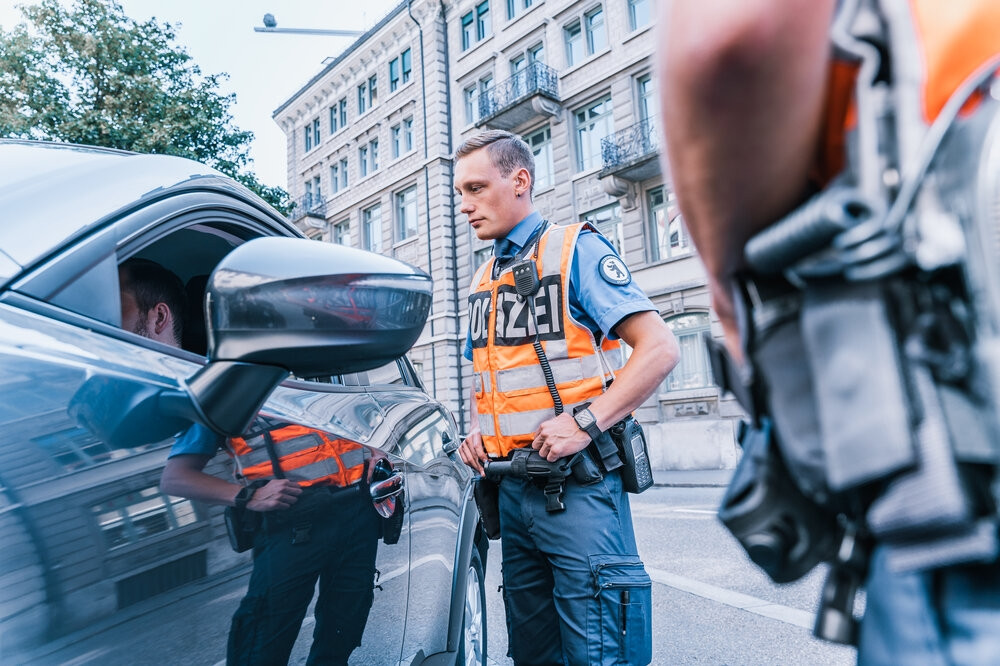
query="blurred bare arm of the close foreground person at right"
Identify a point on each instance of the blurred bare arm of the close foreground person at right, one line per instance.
(742, 85)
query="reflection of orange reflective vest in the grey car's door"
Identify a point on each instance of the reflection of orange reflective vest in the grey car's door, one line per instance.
(306, 455)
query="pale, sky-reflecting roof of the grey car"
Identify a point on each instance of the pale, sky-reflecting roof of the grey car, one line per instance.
(51, 192)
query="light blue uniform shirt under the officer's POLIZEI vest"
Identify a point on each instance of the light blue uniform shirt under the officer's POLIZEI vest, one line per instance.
(593, 301)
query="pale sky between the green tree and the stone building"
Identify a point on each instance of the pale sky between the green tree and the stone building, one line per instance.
(265, 69)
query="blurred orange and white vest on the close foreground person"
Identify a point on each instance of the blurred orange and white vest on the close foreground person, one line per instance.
(936, 46)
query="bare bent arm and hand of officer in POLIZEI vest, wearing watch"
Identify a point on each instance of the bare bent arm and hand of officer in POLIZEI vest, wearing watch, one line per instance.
(654, 355)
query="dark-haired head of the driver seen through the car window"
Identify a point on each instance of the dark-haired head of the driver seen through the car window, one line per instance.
(152, 301)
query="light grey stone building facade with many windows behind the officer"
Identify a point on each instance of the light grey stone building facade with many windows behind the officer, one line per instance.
(370, 140)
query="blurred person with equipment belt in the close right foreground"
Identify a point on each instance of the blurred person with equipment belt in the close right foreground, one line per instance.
(828, 158)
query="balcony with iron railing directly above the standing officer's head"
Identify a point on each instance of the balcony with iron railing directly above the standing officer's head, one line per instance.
(531, 93)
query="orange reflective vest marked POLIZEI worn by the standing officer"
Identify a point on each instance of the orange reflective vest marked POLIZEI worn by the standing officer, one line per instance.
(512, 398)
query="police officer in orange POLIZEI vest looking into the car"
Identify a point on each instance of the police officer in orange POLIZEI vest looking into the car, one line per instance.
(575, 589)
